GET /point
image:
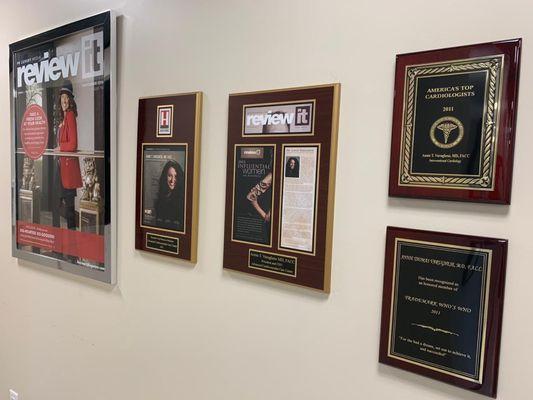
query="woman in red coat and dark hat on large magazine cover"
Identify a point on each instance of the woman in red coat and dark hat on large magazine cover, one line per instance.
(69, 167)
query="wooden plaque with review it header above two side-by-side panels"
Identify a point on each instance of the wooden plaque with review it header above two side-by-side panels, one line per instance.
(282, 147)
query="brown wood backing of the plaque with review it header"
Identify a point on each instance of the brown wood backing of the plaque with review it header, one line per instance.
(312, 270)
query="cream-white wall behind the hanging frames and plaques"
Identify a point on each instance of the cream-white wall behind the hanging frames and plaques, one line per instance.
(171, 331)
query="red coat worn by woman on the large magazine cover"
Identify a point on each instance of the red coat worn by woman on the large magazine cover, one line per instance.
(68, 141)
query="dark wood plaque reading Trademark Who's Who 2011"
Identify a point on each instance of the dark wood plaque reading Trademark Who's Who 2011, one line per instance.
(442, 306)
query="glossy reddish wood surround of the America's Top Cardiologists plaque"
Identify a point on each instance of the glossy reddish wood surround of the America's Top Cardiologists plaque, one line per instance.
(511, 49)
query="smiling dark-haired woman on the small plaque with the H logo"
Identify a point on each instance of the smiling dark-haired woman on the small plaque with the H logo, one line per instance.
(169, 206)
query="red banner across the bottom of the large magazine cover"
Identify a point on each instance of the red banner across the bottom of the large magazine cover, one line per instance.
(84, 245)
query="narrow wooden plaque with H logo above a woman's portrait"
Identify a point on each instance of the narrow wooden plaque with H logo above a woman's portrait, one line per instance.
(168, 170)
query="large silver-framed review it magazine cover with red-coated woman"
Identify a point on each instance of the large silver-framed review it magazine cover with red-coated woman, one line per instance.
(63, 144)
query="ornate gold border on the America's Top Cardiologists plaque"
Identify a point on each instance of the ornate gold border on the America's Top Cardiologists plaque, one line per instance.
(490, 133)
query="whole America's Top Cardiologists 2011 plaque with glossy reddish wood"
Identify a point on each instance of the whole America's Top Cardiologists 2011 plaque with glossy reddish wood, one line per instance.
(454, 123)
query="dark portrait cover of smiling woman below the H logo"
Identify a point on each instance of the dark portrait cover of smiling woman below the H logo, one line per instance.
(163, 191)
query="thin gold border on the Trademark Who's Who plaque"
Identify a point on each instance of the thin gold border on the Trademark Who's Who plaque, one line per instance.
(488, 252)
